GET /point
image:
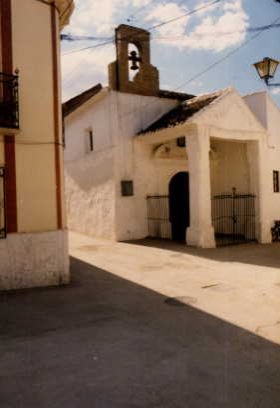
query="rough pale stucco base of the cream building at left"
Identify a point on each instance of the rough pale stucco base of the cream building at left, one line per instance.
(33, 260)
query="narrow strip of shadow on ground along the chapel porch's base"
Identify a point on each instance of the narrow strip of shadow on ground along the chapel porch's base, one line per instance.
(251, 253)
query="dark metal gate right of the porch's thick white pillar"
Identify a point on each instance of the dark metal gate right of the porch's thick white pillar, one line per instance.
(233, 217)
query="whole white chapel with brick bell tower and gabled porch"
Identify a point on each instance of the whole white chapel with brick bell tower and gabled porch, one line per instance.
(141, 161)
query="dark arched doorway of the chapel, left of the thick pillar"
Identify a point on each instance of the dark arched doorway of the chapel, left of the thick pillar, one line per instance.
(179, 206)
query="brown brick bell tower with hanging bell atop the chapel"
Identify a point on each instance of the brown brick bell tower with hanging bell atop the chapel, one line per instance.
(146, 77)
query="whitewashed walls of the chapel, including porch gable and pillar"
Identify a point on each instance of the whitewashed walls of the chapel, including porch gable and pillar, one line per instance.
(229, 143)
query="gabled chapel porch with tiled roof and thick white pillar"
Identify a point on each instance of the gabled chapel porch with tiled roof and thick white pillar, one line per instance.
(223, 157)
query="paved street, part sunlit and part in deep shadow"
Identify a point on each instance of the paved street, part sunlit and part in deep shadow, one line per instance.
(149, 324)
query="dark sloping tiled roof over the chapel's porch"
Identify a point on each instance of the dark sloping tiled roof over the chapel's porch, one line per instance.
(183, 112)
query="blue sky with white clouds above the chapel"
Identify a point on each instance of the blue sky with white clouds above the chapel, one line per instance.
(180, 50)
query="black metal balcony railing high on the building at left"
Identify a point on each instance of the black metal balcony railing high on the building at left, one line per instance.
(9, 109)
